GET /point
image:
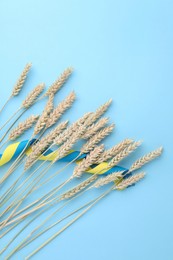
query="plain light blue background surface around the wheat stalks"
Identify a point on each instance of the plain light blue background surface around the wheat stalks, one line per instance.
(121, 50)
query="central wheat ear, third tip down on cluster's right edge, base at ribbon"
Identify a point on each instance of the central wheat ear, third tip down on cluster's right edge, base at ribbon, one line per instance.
(95, 139)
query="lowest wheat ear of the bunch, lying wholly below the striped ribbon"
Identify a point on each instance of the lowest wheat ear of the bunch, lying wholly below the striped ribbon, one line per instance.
(79, 187)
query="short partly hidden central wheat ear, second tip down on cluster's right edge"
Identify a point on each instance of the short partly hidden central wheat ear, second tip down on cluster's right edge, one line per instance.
(91, 130)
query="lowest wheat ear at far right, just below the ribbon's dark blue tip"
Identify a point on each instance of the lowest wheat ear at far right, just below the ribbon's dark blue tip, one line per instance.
(130, 181)
